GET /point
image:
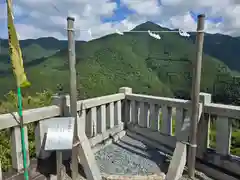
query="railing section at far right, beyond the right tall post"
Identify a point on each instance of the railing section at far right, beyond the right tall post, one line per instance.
(220, 155)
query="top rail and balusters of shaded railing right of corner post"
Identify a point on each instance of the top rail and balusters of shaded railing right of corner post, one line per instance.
(157, 112)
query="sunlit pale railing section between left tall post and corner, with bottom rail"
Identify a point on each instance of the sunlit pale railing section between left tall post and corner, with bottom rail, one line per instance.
(102, 118)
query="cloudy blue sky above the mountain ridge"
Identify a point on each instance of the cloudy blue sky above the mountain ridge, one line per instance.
(169, 13)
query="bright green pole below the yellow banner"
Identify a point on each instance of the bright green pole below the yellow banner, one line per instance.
(20, 109)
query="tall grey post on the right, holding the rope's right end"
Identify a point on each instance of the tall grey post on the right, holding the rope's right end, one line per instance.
(197, 65)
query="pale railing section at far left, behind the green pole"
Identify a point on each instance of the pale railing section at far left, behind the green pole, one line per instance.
(11, 121)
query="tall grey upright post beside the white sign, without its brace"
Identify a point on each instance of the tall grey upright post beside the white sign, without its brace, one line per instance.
(73, 91)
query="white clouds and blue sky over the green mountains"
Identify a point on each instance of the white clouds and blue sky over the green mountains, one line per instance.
(36, 18)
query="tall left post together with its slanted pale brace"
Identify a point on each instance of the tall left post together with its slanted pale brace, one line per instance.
(81, 146)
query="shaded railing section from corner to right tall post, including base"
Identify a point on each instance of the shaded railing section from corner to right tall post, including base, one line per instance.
(155, 118)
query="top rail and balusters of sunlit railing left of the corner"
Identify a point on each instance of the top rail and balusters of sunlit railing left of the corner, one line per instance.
(102, 114)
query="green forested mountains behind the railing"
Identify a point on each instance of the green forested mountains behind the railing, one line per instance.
(159, 67)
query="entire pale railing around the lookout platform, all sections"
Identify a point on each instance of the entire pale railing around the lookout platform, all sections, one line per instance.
(158, 120)
